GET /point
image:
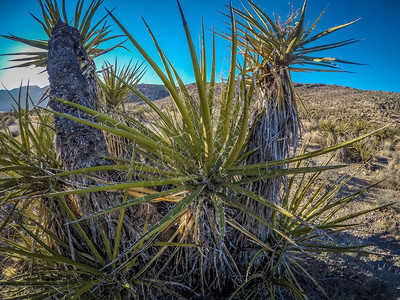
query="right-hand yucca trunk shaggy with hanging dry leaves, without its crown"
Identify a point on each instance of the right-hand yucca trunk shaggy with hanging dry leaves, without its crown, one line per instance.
(275, 132)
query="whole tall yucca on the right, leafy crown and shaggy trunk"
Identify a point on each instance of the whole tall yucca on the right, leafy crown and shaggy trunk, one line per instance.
(274, 48)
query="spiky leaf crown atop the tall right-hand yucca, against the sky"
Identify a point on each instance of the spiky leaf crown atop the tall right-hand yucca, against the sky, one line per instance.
(286, 43)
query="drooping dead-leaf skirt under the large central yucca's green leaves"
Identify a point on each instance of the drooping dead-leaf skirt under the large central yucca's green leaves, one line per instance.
(208, 267)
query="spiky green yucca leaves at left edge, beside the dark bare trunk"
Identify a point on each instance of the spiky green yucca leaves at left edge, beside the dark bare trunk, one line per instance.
(26, 158)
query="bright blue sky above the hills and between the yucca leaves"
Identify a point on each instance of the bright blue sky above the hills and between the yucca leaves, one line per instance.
(378, 28)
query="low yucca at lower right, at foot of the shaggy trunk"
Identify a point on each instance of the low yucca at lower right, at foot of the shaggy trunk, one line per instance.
(281, 268)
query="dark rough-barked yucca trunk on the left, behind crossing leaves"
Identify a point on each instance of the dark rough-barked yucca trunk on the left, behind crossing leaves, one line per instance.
(72, 77)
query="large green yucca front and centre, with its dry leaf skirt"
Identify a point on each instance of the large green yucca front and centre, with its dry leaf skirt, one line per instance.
(189, 156)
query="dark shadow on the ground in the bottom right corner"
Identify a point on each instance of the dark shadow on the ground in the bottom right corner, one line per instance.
(355, 276)
